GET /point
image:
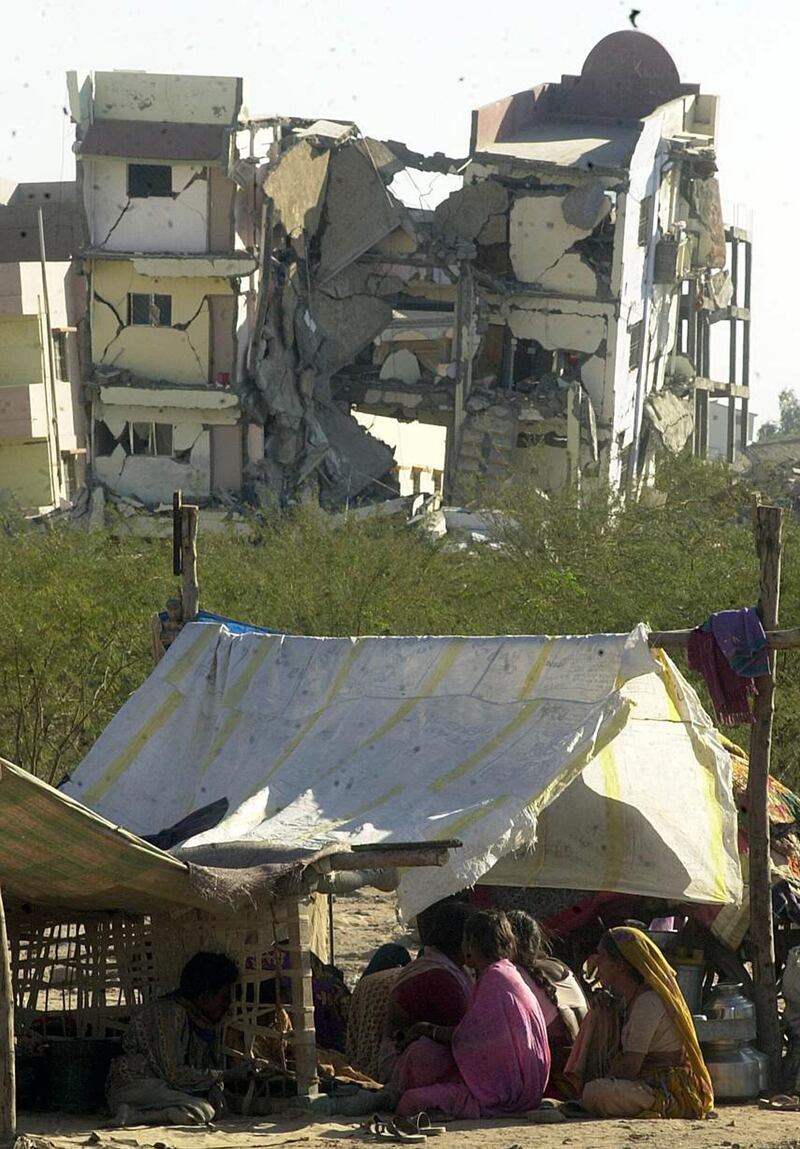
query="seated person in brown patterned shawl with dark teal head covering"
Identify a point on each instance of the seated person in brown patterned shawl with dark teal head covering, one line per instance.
(368, 1008)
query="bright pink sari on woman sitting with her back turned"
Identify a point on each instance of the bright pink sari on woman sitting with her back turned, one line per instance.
(499, 1060)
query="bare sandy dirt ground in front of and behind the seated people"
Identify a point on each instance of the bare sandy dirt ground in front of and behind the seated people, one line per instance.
(363, 923)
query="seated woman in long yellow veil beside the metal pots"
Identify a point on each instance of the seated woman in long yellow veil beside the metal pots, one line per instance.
(651, 1065)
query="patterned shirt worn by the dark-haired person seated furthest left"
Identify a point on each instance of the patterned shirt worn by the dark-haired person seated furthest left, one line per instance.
(170, 1040)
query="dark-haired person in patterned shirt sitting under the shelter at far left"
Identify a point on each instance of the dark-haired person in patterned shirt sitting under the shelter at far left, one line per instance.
(171, 1073)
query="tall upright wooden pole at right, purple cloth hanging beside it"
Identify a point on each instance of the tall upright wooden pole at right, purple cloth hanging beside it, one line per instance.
(768, 545)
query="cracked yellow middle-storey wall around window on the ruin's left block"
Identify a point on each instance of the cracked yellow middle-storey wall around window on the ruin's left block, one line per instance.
(155, 353)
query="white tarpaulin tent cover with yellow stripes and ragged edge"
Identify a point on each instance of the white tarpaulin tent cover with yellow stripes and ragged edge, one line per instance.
(416, 739)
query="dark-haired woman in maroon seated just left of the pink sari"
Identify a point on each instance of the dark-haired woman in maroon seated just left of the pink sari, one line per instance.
(435, 988)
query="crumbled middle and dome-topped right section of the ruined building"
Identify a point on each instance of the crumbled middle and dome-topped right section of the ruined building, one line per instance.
(553, 313)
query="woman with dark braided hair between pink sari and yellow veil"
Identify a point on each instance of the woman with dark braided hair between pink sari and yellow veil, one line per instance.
(556, 988)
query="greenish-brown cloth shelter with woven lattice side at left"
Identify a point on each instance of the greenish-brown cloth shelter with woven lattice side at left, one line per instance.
(101, 921)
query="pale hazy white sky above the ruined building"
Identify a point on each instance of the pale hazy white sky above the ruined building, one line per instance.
(413, 72)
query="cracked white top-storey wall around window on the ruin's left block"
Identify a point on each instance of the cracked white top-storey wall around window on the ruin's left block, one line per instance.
(119, 223)
